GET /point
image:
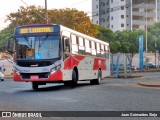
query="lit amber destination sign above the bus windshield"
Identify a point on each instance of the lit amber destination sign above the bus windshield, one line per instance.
(35, 30)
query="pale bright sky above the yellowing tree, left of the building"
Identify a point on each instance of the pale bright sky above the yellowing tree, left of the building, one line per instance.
(9, 6)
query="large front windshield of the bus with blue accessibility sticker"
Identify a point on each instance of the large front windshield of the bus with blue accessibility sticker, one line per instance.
(37, 47)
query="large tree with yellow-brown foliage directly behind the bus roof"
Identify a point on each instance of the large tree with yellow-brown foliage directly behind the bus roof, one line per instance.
(71, 18)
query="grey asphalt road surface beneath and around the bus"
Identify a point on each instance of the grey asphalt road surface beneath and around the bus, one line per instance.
(111, 95)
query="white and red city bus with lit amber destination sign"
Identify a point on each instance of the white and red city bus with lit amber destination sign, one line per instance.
(54, 53)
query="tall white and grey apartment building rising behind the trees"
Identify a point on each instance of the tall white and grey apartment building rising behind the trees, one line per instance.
(125, 14)
